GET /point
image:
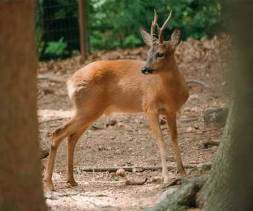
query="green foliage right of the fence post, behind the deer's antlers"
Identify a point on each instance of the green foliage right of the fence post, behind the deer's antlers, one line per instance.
(114, 23)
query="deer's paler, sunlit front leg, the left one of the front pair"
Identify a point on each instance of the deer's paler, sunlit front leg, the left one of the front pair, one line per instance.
(153, 119)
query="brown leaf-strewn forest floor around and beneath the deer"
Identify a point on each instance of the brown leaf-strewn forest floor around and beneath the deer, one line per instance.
(127, 142)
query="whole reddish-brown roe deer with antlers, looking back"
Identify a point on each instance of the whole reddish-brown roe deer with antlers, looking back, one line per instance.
(153, 87)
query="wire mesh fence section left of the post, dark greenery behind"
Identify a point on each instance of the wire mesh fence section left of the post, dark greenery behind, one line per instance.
(57, 28)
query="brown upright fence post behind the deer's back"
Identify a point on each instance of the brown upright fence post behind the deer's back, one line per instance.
(83, 30)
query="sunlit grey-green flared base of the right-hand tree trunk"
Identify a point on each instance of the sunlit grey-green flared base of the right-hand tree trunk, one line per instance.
(216, 192)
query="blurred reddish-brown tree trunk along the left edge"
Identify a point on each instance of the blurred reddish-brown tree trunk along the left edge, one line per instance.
(20, 177)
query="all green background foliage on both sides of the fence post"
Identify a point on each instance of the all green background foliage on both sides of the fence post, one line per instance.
(116, 23)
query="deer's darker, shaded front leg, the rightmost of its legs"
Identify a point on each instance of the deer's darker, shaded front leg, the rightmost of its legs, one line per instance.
(172, 123)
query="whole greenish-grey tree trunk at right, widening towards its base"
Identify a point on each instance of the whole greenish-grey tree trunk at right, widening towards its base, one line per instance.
(230, 186)
